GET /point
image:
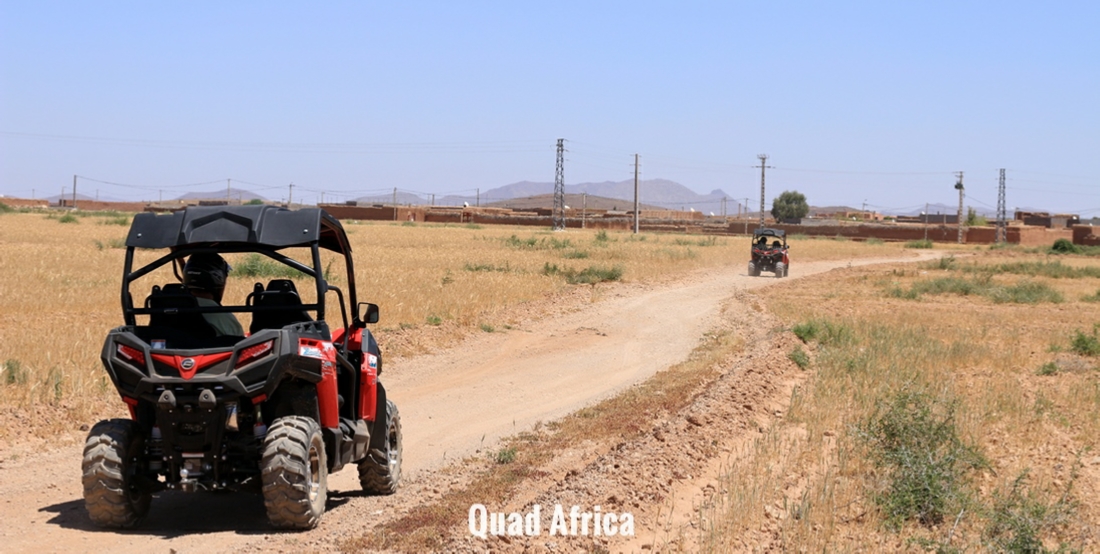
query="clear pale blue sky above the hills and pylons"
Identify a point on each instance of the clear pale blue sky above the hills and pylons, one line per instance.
(853, 102)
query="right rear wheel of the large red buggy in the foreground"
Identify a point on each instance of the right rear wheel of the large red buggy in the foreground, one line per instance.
(295, 473)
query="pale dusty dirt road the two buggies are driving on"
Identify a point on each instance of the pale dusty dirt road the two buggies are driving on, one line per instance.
(453, 404)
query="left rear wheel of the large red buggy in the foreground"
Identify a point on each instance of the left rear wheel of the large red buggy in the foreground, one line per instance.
(112, 458)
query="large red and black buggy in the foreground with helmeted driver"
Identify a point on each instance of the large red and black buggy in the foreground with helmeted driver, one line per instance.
(273, 411)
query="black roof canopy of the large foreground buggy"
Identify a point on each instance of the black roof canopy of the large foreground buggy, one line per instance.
(263, 226)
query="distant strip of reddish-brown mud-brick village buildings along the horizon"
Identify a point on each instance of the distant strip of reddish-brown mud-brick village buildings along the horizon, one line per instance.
(1025, 228)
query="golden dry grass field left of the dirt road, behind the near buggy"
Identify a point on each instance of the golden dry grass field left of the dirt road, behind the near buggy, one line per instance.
(60, 280)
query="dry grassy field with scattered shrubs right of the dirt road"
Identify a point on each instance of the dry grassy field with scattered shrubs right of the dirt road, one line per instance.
(950, 407)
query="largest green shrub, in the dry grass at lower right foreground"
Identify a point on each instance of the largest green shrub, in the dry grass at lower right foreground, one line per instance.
(914, 441)
